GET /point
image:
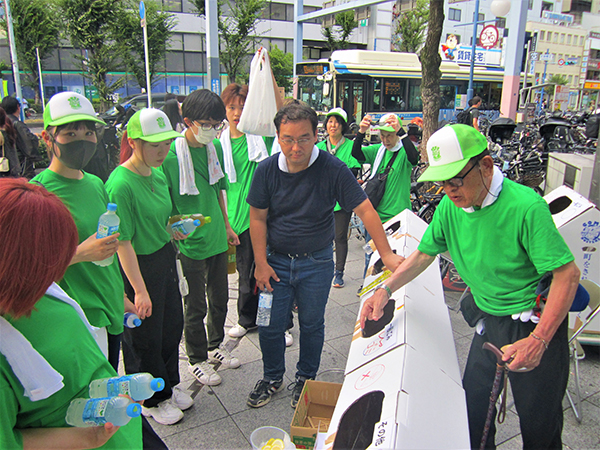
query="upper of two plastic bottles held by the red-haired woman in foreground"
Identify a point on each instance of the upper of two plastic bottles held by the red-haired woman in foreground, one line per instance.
(139, 386)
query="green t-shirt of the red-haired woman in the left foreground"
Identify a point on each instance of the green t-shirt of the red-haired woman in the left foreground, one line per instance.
(57, 332)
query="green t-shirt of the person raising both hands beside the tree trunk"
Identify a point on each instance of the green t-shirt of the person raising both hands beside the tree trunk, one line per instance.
(397, 189)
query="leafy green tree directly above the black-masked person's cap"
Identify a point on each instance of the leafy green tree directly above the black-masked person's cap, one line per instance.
(91, 26)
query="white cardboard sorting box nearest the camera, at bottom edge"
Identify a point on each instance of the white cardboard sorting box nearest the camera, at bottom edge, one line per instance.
(400, 400)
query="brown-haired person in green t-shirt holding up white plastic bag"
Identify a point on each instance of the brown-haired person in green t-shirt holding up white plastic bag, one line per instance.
(241, 154)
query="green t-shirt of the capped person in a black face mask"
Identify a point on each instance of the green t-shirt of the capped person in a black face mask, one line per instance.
(99, 290)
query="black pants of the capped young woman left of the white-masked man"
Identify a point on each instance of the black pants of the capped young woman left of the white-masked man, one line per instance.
(153, 347)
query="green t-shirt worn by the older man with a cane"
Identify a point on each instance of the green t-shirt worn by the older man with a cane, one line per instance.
(502, 250)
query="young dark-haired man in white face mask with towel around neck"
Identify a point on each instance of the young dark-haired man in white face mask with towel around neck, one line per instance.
(196, 180)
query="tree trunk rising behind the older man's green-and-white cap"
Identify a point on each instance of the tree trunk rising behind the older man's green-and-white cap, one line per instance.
(431, 73)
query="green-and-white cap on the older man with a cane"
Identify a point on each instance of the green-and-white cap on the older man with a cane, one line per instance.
(449, 150)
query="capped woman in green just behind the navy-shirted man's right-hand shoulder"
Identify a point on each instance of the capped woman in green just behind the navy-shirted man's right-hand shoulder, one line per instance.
(336, 124)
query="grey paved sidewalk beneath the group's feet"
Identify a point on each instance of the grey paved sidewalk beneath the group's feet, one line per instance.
(220, 418)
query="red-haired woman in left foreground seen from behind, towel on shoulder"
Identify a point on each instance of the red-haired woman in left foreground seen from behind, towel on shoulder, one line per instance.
(48, 355)
